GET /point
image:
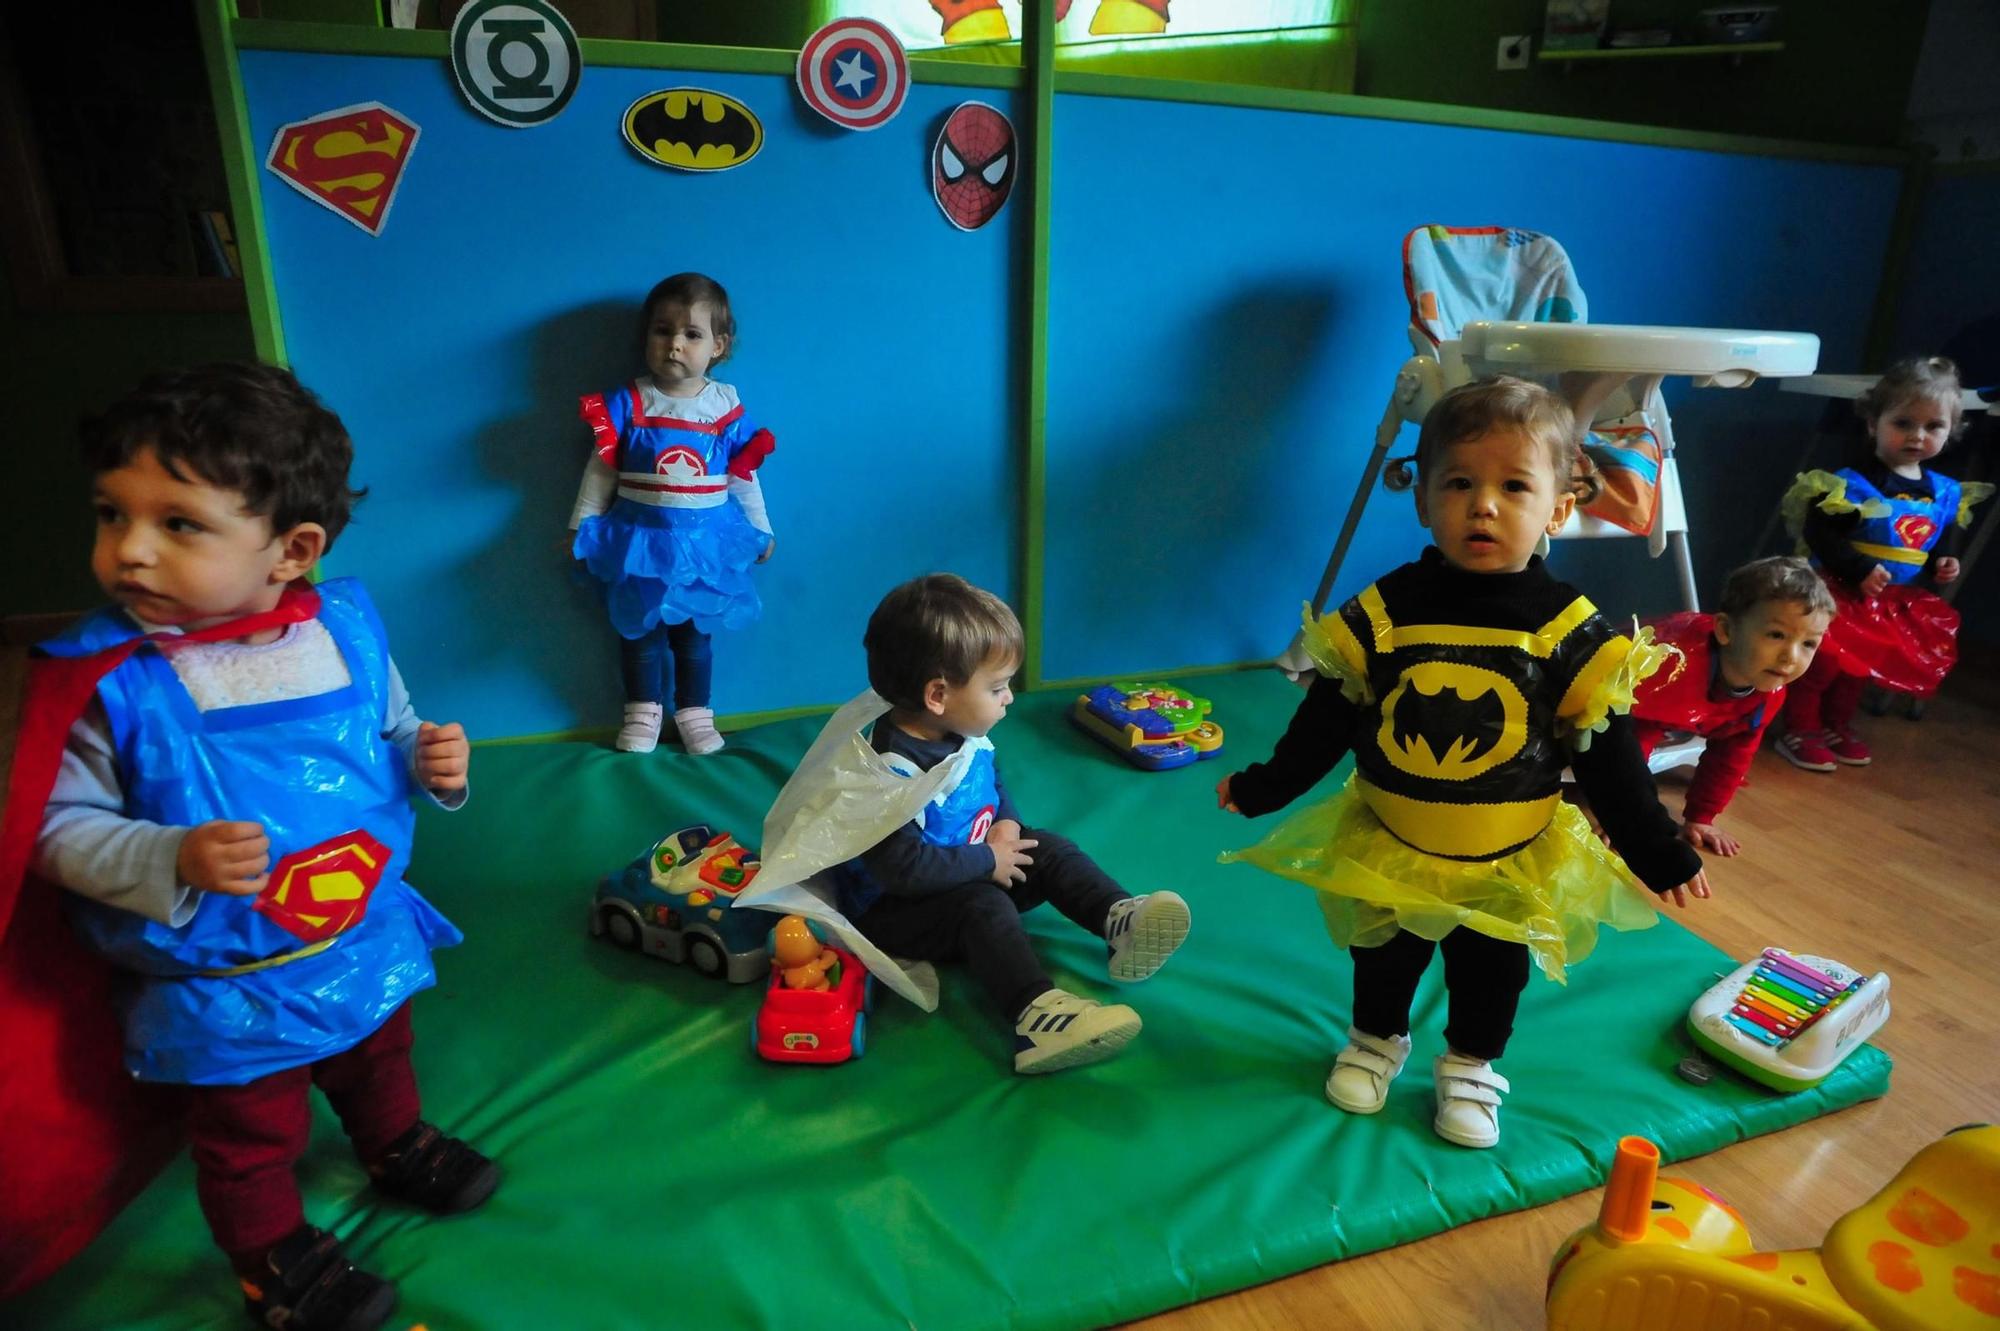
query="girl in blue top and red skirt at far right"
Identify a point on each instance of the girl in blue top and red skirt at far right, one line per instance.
(1875, 529)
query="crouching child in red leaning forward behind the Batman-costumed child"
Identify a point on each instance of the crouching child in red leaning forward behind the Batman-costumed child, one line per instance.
(1731, 684)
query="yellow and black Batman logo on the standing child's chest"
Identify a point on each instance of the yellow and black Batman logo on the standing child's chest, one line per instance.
(1451, 722)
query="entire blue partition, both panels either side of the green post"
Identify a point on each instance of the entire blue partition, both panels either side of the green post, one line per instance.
(1225, 323)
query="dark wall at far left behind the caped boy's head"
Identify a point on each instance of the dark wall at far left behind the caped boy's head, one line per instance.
(67, 367)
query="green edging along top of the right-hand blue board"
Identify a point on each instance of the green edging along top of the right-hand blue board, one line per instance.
(1467, 119)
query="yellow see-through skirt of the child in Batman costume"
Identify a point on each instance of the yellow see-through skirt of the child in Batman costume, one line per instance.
(1551, 894)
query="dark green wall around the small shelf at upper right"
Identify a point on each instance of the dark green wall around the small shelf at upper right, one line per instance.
(1843, 75)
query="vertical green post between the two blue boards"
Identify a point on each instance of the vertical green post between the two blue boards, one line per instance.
(1039, 43)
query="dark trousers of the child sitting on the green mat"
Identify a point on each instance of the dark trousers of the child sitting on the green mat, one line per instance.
(979, 924)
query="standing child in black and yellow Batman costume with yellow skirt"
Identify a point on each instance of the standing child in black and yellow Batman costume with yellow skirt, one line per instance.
(1465, 684)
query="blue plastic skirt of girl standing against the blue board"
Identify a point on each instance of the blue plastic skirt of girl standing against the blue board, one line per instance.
(673, 565)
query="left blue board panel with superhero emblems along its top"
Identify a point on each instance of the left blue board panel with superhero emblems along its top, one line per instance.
(873, 341)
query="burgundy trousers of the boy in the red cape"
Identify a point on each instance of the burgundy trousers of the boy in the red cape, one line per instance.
(249, 1138)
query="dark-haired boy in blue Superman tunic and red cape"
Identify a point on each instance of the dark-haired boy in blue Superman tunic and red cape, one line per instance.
(221, 772)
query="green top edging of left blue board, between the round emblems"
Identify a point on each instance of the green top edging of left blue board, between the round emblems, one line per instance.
(609, 53)
